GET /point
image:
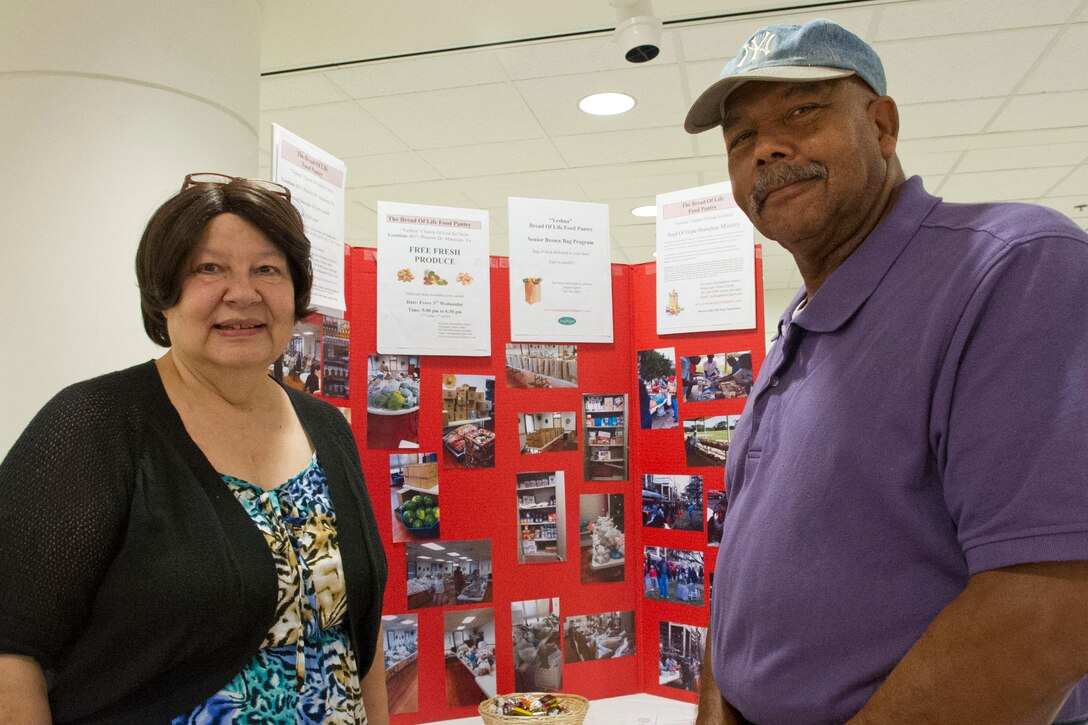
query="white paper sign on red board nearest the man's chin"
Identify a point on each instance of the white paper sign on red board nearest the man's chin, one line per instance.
(706, 262)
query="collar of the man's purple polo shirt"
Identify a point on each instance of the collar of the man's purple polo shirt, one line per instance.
(850, 286)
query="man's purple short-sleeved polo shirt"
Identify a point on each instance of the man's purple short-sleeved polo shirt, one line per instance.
(925, 417)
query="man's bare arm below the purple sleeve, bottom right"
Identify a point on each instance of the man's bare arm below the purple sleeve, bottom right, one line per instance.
(1009, 649)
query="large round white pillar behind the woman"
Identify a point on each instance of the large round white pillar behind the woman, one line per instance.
(105, 107)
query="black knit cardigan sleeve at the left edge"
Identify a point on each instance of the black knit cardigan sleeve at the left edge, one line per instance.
(64, 506)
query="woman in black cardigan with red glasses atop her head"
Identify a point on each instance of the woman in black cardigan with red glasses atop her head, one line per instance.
(195, 543)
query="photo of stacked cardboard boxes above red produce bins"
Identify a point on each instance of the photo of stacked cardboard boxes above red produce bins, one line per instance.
(468, 422)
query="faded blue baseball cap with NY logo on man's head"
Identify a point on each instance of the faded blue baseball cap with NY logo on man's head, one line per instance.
(819, 51)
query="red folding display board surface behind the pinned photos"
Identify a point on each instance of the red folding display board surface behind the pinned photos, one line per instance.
(483, 503)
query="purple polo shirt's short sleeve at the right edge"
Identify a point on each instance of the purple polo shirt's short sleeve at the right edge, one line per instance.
(1016, 457)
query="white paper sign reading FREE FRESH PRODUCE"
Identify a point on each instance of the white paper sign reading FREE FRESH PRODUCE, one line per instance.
(434, 280)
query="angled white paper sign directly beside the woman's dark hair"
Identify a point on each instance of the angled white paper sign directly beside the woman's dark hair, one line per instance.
(317, 182)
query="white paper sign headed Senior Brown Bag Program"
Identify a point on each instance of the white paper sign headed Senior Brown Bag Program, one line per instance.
(561, 272)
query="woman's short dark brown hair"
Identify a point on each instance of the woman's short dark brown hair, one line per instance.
(176, 229)
